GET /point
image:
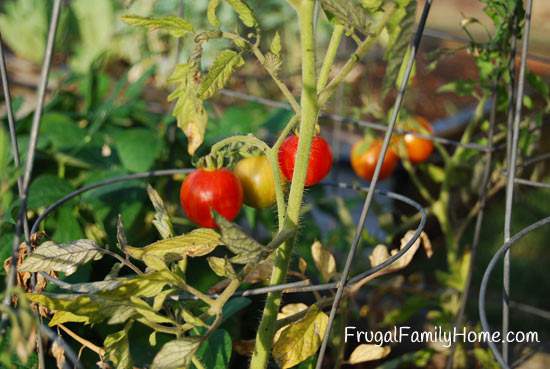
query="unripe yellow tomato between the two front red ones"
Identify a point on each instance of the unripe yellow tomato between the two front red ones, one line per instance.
(257, 180)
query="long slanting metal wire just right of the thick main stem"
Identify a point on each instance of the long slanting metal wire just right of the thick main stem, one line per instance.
(415, 44)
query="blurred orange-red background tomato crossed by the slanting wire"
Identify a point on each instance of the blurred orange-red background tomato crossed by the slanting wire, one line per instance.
(364, 156)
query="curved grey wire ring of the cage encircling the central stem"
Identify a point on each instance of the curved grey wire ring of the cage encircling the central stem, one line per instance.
(293, 287)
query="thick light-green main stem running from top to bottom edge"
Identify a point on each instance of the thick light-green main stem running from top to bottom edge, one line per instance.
(266, 330)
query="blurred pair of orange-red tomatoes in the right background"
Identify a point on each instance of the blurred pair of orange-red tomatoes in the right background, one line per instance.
(365, 153)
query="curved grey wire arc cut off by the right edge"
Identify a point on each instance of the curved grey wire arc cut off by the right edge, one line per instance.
(484, 282)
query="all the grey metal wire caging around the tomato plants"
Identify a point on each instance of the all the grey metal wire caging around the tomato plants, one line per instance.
(514, 118)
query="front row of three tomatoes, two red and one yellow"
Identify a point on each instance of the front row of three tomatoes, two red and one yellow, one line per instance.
(252, 181)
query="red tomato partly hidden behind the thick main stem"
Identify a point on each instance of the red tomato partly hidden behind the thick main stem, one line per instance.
(320, 159)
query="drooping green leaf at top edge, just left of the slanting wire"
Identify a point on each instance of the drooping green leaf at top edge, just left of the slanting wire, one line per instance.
(400, 28)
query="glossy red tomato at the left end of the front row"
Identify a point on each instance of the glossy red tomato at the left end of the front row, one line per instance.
(207, 190)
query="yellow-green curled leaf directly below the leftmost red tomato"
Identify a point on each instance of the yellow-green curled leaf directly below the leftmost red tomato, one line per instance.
(198, 242)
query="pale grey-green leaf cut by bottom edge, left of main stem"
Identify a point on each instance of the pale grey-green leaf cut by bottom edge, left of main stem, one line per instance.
(176, 354)
